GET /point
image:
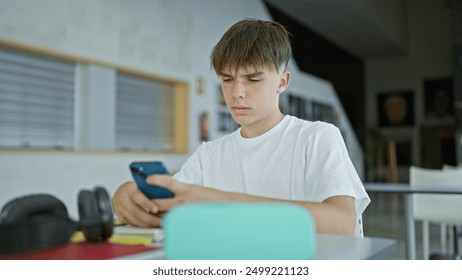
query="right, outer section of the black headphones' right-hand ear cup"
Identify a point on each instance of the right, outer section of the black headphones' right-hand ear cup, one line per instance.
(103, 201)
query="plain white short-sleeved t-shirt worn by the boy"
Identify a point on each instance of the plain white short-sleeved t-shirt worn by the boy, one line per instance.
(296, 160)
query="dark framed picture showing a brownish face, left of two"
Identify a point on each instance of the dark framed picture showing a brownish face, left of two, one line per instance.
(396, 108)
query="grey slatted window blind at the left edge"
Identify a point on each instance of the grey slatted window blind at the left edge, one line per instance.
(36, 101)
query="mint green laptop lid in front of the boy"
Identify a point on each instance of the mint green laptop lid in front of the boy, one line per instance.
(239, 231)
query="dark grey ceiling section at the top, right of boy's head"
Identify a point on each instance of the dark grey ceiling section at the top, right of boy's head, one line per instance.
(366, 28)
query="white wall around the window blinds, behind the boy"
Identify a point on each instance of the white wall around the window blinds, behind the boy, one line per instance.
(168, 38)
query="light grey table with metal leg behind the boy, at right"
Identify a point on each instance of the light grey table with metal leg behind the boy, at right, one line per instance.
(407, 190)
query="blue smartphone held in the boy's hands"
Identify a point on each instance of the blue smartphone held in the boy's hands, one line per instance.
(141, 170)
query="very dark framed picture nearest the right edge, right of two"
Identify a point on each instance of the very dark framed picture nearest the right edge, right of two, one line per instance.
(439, 97)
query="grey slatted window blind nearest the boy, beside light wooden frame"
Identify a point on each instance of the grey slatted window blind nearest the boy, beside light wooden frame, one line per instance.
(144, 114)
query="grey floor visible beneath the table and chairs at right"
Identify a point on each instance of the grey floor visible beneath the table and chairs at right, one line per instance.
(384, 217)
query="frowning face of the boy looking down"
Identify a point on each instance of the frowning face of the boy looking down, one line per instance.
(252, 96)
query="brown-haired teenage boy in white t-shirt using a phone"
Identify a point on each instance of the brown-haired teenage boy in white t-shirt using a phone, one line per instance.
(272, 157)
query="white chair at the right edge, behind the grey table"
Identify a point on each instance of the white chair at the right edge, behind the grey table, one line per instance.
(443, 209)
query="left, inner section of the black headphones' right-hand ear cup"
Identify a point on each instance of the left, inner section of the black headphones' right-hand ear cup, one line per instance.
(89, 216)
